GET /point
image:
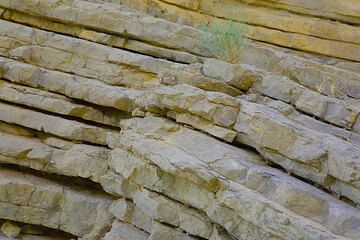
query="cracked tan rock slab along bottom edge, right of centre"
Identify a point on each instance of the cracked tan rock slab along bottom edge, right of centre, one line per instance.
(256, 214)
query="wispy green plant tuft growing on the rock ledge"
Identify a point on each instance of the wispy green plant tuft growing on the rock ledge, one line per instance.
(225, 39)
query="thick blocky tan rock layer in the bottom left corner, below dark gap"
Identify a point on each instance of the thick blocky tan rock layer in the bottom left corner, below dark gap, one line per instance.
(42, 202)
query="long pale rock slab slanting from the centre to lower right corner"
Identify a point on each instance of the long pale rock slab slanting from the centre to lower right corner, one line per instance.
(249, 170)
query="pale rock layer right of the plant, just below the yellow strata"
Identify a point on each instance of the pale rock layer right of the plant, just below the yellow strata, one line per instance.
(310, 72)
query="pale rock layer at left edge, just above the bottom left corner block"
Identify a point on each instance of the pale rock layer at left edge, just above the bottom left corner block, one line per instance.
(54, 155)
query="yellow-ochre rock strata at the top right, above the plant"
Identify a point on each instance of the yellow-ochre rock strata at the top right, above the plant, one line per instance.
(275, 26)
